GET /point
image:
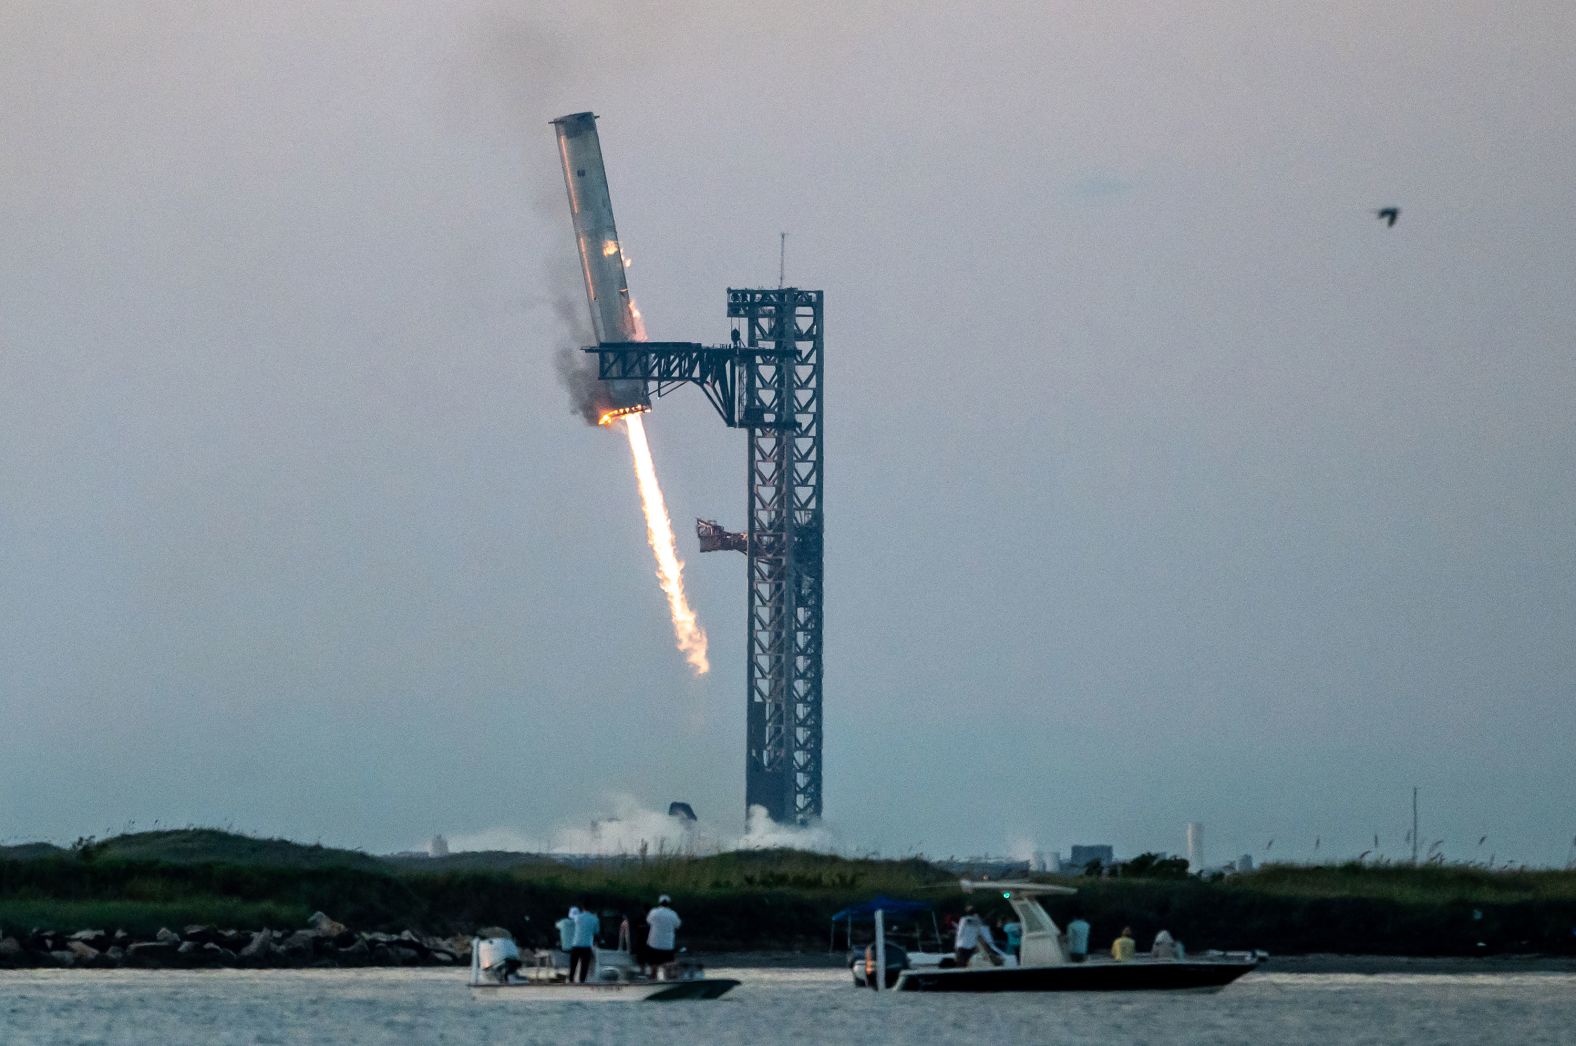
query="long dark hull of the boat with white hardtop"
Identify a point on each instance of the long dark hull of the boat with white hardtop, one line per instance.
(1139, 976)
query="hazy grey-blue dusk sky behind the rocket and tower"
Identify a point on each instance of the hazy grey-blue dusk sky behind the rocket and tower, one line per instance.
(1164, 483)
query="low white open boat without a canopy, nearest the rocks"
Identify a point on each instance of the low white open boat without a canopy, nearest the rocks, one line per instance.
(499, 973)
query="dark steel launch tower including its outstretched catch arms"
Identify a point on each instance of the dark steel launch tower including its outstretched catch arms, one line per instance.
(768, 382)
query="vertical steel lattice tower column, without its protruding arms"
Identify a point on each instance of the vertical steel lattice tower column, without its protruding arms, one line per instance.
(782, 409)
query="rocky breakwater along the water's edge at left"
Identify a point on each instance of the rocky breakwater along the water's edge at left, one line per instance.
(324, 943)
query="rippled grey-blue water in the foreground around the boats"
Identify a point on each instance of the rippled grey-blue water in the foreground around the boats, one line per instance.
(771, 1007)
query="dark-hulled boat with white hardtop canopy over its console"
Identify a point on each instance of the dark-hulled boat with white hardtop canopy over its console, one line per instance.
(1043, 963)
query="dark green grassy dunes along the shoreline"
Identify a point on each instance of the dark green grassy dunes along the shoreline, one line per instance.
(762, 900)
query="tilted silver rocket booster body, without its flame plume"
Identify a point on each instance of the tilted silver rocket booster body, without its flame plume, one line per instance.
(614, 317)
